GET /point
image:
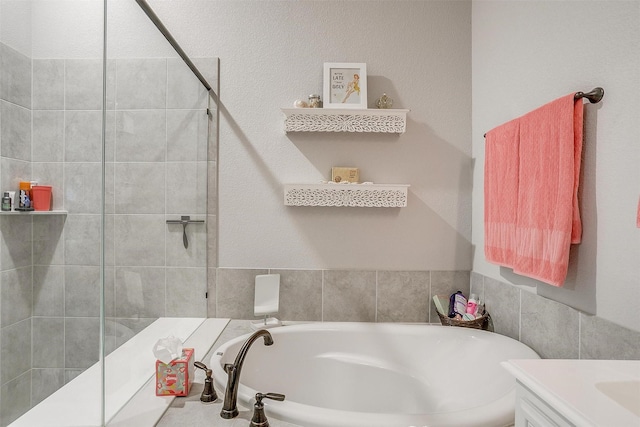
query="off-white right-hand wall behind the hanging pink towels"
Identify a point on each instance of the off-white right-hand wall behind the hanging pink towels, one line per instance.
(528, 53)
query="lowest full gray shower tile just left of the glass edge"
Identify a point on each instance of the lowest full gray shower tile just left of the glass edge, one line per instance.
(81, 342)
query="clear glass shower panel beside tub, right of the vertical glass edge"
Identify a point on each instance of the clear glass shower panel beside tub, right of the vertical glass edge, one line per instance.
(156, 180)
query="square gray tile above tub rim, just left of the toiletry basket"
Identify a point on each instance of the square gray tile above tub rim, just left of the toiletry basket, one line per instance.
(403, 296)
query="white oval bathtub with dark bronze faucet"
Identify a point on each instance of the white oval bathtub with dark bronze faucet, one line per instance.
(375, 374)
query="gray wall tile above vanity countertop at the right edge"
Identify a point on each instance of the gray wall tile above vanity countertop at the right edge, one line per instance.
(601, 339)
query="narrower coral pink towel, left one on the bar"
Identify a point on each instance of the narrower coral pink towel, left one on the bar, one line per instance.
(501, 193)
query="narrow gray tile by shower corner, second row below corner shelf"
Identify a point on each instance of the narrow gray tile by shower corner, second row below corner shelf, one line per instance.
(48, 291)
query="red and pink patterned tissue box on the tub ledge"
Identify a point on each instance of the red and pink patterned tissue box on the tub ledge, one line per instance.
(175, 378)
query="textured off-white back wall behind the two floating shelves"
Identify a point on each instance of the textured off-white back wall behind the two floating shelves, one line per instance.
(272, 53)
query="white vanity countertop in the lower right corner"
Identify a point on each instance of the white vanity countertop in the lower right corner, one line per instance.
(586, 392)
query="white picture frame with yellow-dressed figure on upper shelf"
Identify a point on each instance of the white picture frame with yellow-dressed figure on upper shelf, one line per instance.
(345, 85)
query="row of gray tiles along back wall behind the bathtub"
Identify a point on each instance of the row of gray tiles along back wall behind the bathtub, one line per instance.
(338, 295)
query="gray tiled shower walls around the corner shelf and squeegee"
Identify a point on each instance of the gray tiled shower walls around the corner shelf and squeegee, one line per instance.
(156, 161)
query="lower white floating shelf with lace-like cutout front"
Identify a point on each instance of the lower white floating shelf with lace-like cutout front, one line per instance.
(354, 195)
